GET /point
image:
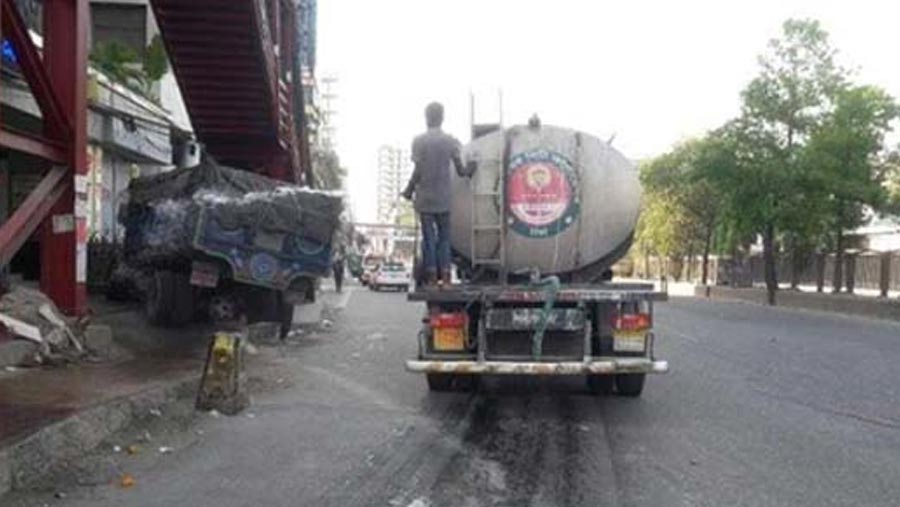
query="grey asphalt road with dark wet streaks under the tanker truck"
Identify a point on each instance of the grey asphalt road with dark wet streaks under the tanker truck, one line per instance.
(762, 407)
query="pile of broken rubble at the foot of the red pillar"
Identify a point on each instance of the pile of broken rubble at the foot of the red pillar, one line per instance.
(30, 315)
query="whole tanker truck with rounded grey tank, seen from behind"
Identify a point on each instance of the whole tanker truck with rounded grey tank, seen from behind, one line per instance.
(534, 231)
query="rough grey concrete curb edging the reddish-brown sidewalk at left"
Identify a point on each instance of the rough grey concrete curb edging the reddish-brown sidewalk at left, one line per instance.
(24, 463)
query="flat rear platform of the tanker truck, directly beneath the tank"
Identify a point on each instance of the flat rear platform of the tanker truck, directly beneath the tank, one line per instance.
(603, 292)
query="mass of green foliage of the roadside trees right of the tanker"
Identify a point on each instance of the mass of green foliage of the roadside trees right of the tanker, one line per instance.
(798, 167)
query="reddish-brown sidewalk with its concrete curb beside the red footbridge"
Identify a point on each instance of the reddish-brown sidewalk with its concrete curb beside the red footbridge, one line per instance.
(49, 415)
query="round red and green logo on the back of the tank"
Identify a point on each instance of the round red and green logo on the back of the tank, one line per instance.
(541, 193)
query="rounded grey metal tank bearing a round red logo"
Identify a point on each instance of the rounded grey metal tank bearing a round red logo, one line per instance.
(572, 202)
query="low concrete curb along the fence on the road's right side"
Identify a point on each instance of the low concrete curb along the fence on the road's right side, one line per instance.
(844, 304)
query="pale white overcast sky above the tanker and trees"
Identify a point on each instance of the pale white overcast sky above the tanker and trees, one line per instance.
(646, 73)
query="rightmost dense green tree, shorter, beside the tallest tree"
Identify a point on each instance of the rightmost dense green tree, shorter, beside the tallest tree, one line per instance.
(842, 155)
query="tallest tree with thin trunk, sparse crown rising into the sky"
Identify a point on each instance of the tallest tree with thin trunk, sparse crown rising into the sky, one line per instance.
(797, 78)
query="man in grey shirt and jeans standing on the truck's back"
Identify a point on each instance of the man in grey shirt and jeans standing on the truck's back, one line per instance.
(432, 154)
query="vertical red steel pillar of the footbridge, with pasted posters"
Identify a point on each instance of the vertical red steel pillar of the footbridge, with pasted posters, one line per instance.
(64, 235)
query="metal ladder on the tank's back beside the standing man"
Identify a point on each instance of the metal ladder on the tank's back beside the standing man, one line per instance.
(482, 197)
